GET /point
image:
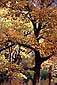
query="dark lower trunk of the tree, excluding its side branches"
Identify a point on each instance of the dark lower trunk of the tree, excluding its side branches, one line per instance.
(37, 67)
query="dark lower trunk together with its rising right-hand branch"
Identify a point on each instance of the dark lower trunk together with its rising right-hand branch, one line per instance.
(38, 61)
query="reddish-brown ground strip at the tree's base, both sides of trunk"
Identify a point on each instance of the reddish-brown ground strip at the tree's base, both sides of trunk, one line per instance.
(42, 82)
